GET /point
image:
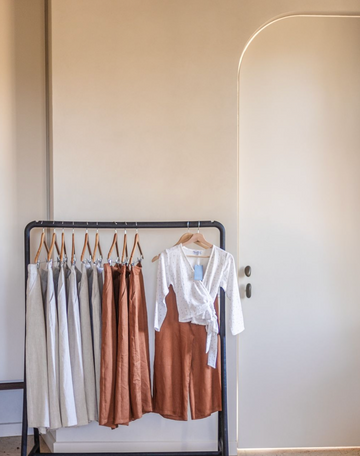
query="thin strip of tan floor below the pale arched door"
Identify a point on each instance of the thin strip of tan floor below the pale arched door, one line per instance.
(321, 451)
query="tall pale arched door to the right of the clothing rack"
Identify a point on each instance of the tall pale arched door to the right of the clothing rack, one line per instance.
(299, 219)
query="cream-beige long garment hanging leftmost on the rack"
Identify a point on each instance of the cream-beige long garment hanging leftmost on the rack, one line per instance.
(36, 362)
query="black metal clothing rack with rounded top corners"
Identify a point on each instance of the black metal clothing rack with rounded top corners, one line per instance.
(223, 445)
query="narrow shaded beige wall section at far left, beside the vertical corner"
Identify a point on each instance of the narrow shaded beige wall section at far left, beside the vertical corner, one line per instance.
(22, 176)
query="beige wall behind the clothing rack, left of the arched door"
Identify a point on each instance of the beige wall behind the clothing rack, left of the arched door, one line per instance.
(145, 128)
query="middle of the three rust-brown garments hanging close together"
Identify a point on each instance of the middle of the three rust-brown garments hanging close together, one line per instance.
(122, 392)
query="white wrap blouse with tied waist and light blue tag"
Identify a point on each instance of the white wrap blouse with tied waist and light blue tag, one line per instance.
(195, 298)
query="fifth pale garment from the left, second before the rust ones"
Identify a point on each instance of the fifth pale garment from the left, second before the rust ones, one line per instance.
(87, 345)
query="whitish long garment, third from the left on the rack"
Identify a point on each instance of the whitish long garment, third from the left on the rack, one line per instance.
(67, 400)
